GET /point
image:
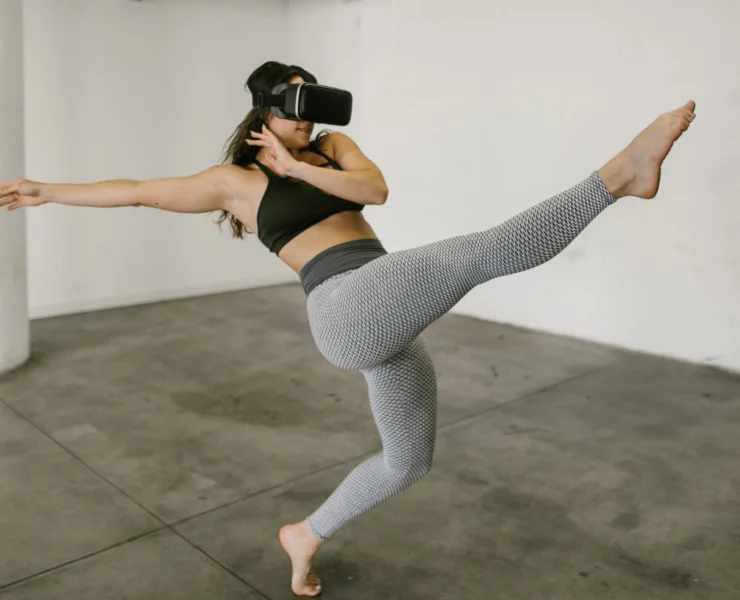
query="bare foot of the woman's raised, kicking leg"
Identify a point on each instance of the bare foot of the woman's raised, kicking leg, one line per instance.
(636, 170)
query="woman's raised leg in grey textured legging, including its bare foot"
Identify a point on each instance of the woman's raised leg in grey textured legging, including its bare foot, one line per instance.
(377, 310)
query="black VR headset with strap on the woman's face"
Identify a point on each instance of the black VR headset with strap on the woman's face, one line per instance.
(307, 102)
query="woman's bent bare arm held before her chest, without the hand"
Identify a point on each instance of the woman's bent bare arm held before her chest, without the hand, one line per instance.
(360, 180)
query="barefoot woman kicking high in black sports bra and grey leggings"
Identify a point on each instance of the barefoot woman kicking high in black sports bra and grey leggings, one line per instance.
(366, 307)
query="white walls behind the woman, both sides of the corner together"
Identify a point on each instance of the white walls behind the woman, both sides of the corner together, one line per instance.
(118, 89)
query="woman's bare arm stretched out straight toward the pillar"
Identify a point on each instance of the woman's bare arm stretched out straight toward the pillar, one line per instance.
(213, 189)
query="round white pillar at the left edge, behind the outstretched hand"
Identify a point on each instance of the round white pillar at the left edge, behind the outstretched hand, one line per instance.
(14, 321)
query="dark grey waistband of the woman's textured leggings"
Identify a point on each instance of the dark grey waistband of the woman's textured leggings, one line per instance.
(338, 259)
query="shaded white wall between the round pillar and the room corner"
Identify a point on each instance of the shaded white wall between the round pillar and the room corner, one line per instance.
(127, 90)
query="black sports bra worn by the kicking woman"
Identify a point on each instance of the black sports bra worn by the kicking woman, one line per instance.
(289, 207)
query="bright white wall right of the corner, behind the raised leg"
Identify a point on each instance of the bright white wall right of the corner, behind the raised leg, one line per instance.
(477, 110)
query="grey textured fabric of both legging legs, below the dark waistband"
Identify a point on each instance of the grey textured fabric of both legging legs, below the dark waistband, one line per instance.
(370, 319)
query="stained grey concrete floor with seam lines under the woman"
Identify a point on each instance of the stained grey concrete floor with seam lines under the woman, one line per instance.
(153, 452)
